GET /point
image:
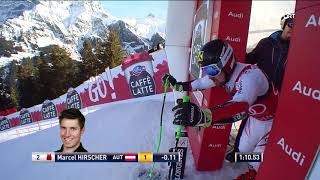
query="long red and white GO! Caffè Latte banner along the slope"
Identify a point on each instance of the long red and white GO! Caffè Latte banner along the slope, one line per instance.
(138, 76)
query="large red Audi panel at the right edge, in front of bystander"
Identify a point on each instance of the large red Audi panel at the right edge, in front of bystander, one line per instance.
(294, 136)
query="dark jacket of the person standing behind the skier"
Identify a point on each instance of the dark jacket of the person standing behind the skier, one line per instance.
(270, 55)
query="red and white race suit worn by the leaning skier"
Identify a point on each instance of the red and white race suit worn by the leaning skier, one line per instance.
(249, 84)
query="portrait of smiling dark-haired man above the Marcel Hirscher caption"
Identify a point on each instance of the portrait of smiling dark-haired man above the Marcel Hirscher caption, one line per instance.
(72, 128)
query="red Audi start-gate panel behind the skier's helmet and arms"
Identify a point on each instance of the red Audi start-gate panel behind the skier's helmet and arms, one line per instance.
(228, 20)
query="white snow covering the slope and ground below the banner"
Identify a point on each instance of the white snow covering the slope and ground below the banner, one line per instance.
(125, 126)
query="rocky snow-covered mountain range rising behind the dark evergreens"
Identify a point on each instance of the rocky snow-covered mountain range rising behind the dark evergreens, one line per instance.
(26, 26)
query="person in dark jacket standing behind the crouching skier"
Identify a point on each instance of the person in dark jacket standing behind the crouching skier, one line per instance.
(270, 55)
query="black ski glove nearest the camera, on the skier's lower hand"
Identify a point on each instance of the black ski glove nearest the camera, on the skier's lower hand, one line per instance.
(189, 114)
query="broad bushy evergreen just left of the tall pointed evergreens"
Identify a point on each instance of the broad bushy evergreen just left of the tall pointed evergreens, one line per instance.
(57, 72)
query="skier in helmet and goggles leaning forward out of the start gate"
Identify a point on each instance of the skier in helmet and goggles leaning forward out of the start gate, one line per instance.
(251, 92)
